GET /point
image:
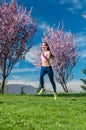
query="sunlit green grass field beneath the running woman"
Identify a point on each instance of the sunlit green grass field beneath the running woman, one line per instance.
(31, 112)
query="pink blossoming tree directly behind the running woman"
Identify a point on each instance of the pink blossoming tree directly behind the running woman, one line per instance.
(64, 53)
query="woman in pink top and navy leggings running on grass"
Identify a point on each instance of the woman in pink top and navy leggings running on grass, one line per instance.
(46, 68)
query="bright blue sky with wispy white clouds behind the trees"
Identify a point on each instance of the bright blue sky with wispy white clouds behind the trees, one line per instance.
(47, 13)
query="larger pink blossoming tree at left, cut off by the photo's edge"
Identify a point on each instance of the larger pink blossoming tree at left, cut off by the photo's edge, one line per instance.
(17, 29)
